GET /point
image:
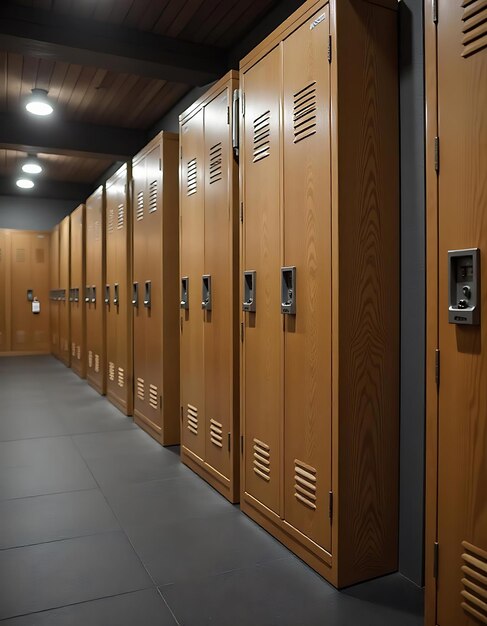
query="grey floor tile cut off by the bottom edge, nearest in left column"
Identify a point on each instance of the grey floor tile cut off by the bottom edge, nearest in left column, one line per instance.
(143, 608)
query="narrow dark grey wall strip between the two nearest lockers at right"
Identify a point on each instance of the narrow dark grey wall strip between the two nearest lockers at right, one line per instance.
(411, 539)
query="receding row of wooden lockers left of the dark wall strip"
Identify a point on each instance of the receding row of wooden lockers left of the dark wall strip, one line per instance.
(249, 308)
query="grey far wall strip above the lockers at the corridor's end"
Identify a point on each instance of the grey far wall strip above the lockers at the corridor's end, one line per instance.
(26, 213)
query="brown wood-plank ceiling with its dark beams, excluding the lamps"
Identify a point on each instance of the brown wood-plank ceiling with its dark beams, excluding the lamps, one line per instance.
(113, 68)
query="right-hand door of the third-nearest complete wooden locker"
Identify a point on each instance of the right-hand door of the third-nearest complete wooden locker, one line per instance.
(154, 348)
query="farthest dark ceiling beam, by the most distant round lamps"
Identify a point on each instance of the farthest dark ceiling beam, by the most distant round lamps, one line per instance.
(49, 189)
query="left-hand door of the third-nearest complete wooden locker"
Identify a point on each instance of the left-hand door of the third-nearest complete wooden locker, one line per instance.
(139, 263)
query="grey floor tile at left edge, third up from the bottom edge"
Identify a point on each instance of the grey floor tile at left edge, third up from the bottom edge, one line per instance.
(26, 521)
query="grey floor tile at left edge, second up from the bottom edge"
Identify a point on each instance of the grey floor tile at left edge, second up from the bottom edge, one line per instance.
(50, 575)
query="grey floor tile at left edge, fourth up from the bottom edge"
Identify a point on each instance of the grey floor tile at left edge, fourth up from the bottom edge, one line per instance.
(33, 467)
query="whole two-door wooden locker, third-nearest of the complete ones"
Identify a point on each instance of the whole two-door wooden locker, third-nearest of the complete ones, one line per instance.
(155, 289)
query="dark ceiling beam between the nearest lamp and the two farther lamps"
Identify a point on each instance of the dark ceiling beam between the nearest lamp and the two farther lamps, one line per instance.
(55, 136)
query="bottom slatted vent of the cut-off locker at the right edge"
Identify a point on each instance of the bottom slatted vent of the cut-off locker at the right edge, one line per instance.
(474, 581)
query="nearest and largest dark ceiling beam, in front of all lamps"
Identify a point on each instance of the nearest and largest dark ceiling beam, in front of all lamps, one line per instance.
(41, 33)
